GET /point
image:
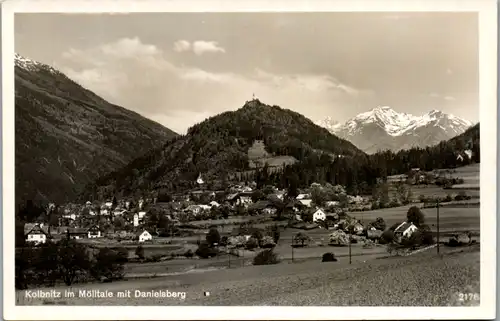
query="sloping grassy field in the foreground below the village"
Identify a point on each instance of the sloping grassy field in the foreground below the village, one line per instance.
(424, 279)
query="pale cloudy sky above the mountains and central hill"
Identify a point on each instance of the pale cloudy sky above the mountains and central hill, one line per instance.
(180, 68)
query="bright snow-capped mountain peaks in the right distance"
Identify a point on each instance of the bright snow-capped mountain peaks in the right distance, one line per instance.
(384, 128)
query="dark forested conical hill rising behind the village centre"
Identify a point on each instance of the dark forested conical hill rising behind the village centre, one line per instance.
(219, 146)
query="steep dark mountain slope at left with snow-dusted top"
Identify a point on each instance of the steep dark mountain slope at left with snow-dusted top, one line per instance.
(66, 136)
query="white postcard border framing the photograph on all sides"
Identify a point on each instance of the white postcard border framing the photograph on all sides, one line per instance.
(487, 10)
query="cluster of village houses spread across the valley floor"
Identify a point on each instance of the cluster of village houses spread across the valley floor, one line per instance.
(239, 196)
